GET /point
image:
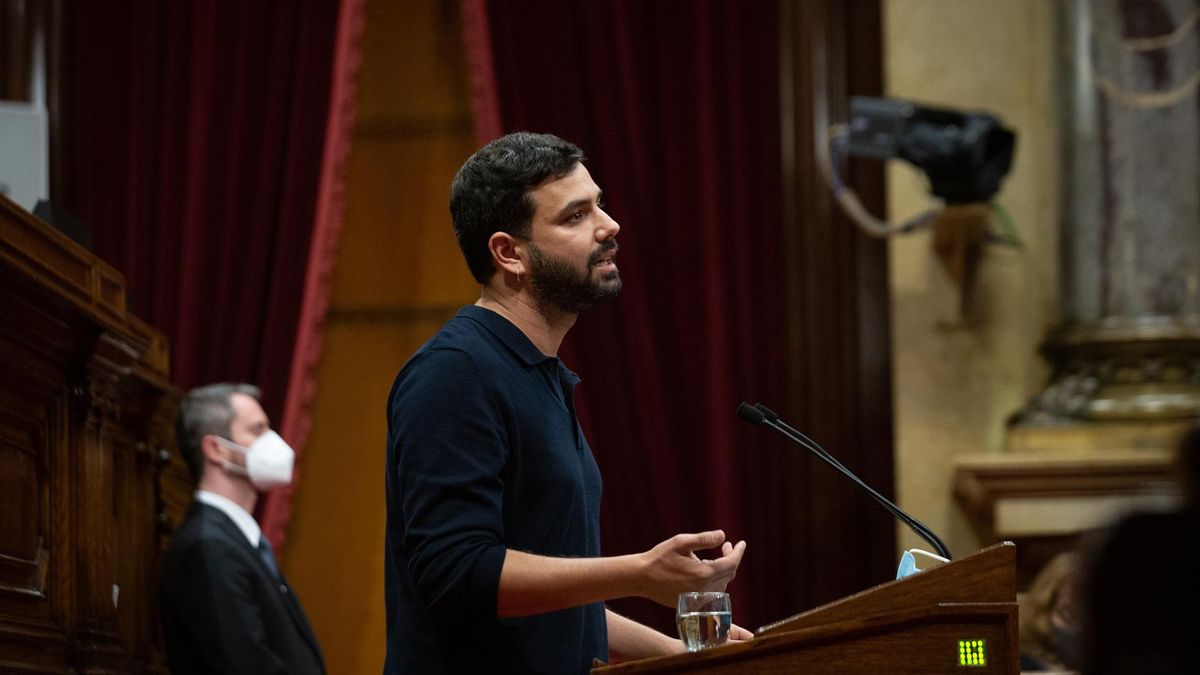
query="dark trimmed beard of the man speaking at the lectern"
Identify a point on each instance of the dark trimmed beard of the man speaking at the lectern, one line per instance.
(560, 286)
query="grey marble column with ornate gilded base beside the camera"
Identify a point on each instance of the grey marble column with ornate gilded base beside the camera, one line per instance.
(1129, 348)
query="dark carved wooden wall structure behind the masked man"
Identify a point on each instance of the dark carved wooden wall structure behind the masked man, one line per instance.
(86, 413)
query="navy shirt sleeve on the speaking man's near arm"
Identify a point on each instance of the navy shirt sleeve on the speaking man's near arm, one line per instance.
(449, 450)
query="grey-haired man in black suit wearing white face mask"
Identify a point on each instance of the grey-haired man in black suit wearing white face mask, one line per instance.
(226, 606)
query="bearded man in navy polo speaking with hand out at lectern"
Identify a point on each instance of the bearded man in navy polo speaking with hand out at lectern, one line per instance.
(494, 495)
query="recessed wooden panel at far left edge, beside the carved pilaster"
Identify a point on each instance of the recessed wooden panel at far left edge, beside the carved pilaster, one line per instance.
(34, 543)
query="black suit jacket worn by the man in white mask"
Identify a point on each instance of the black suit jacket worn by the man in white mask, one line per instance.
(224, 611)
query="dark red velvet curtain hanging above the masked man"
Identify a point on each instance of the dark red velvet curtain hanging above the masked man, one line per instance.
(195, 136)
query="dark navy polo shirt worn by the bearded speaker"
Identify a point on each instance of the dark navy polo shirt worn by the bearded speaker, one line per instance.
(485, 455)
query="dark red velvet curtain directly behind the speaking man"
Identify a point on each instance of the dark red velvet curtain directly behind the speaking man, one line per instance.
(677, 106)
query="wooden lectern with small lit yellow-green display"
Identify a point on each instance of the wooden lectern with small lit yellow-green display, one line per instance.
(957, 618)
